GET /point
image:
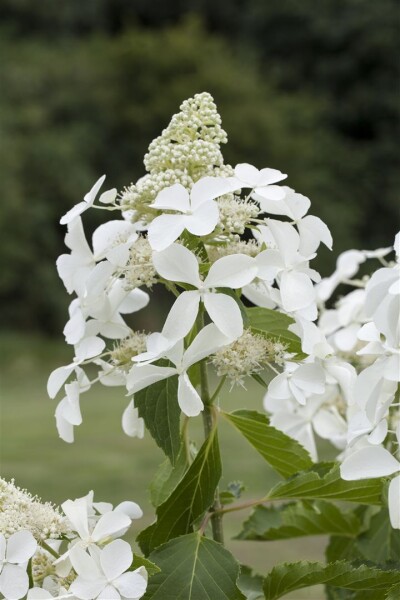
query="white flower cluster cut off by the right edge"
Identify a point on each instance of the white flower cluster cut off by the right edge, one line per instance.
(347, 390)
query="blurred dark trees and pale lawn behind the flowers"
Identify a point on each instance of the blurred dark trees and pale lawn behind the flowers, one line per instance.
(307, 87)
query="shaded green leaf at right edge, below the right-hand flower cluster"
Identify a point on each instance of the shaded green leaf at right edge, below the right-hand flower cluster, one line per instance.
(380, 543)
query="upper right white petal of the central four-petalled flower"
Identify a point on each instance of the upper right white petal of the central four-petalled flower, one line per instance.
(232, 271)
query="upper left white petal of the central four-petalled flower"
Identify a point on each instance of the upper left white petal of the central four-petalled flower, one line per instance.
(177, 263)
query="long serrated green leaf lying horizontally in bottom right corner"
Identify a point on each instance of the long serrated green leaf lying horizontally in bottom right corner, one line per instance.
(288, 577)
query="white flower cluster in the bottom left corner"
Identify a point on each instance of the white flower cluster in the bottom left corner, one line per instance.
(82, 558)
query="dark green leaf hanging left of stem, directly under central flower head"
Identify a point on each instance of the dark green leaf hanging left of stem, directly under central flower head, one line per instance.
(158, 406)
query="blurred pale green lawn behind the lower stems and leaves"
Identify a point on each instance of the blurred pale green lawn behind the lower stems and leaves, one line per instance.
(105, 460)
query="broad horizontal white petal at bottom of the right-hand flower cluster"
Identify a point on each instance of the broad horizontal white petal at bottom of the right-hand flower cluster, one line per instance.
(372, 461)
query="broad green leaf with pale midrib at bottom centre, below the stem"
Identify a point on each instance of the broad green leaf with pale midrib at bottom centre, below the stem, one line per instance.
(194, 567)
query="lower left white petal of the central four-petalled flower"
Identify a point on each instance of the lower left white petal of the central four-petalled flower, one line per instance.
(182, 316)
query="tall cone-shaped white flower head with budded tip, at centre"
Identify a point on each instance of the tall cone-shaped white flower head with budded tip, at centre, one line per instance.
(124, 255)
